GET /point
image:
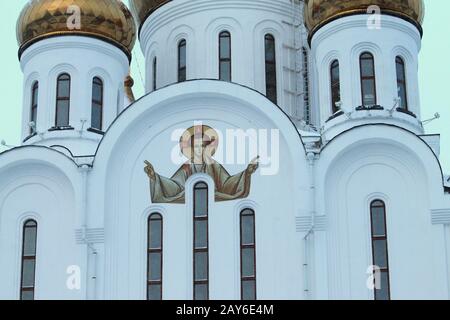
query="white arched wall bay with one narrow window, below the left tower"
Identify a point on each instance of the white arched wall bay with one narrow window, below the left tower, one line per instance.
(41, 184)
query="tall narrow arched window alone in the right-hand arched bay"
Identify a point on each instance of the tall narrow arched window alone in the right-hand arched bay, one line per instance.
(380, 250)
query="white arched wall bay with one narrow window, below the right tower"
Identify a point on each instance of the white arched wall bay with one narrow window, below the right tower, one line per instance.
(393, 165)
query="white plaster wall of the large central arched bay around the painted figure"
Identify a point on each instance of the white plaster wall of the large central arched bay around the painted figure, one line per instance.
(144, 133)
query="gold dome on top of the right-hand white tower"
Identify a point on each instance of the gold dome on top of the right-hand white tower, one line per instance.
(320, 12)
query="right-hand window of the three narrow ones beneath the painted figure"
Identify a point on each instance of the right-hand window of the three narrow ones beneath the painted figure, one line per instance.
(248, 255)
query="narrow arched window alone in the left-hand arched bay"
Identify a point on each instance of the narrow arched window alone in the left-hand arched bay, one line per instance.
(29, 242)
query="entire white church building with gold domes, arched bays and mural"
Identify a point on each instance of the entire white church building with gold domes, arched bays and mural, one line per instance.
(278, 153)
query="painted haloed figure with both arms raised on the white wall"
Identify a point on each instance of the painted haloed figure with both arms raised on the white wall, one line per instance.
(199, 144)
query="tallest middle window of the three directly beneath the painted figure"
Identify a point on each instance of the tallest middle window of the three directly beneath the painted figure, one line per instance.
(201, 253)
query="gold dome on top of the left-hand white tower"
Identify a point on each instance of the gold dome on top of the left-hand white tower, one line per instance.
(108, 20)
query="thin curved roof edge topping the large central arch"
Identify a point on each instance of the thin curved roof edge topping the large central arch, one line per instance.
(193, 80)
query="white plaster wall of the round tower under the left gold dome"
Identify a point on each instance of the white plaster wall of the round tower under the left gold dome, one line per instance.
(83, 59)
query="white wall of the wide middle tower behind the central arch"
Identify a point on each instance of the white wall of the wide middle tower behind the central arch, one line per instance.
(200, 22)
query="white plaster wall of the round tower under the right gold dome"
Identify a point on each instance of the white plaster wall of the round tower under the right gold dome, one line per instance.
(396, 37)
